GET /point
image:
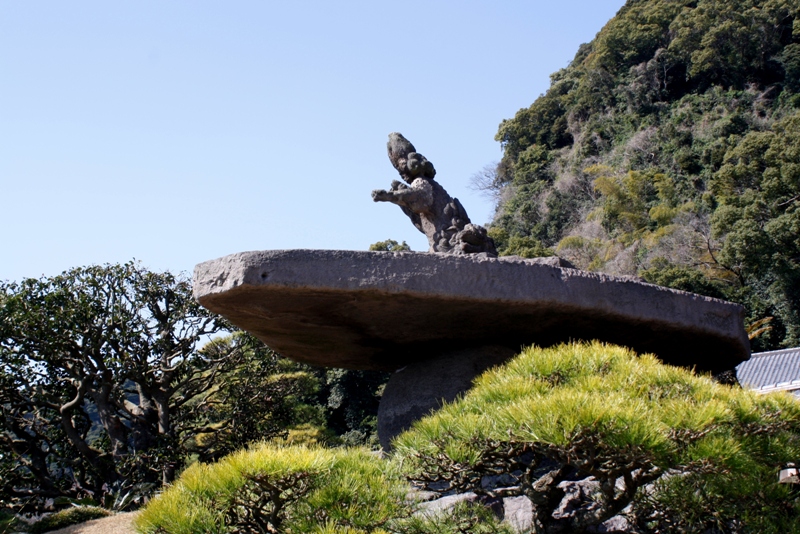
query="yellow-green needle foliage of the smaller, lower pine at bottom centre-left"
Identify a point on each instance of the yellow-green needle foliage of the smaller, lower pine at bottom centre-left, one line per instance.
(353, 491)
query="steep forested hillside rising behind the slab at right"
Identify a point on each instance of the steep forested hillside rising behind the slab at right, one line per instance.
(669, 149)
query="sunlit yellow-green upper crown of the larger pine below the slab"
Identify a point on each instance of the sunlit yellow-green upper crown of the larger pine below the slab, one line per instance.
(548, 395)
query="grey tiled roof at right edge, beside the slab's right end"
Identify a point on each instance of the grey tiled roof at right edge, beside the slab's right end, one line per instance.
(777, 369)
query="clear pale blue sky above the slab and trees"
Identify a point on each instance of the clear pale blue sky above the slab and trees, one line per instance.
(177, 132)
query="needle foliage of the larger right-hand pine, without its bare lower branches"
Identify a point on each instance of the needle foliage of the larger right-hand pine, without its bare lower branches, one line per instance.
(732, 441)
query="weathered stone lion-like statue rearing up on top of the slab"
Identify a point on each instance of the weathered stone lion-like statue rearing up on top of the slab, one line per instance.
(433, 212)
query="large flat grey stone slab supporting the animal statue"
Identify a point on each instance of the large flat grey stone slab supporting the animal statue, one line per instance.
(383, 310)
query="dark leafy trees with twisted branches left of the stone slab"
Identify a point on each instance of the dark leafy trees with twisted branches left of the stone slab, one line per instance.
(104, 384)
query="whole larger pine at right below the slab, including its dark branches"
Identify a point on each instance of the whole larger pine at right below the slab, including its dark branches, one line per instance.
(648, 434)
